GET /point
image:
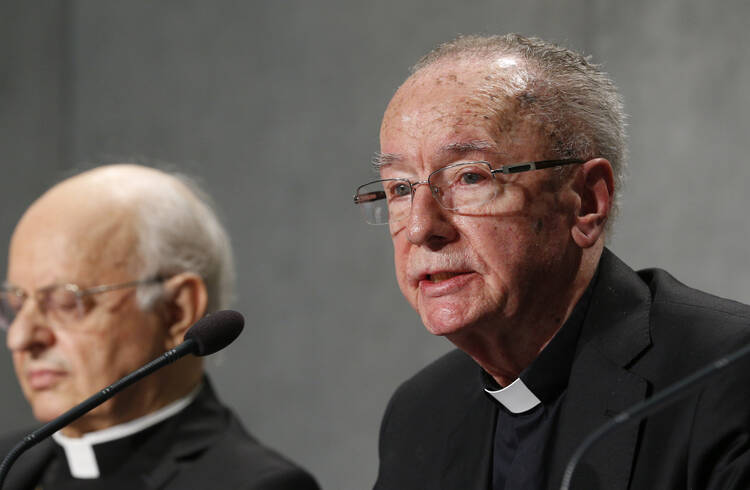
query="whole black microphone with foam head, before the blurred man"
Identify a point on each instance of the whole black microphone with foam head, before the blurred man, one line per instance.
(210, 334)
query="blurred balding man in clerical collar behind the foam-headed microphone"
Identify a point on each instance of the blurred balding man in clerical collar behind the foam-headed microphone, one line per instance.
(106, 271)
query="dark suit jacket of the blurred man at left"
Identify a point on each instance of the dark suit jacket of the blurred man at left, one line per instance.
(202, 447)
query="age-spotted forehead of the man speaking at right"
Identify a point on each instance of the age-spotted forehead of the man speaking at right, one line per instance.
(458, 105)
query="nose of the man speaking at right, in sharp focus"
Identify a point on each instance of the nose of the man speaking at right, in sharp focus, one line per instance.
(428, 223)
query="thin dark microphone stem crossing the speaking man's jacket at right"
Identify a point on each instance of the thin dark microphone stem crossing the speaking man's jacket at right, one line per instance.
(650, 405)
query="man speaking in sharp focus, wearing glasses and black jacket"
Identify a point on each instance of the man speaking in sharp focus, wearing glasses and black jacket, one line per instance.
(500, 163)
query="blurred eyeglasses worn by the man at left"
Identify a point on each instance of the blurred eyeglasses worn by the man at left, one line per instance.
(62, 303)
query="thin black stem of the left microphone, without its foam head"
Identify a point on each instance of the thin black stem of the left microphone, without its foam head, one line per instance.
(46, 430)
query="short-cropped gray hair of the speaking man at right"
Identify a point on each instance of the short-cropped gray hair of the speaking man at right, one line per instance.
(575, 100)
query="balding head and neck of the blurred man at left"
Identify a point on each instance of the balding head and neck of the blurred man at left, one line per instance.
(150, 235)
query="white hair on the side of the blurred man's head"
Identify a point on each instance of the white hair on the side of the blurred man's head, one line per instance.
(179, 231)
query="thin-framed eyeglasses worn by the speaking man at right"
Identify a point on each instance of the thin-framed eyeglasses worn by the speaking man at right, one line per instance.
(461, 187)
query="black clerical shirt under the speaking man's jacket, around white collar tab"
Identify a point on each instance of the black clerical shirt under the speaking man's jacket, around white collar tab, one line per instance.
(521, 442)
